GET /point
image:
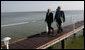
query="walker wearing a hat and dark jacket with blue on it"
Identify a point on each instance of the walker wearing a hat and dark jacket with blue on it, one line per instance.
(60, 18)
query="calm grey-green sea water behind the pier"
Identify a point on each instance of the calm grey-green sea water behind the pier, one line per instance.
(18, 25)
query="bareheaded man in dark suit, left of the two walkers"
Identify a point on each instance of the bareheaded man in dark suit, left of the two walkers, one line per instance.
(49, 20)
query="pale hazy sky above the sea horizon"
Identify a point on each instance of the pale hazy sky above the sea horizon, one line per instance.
(21, 6)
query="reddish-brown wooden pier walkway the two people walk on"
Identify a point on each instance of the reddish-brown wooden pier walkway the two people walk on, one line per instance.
(43, 41)
